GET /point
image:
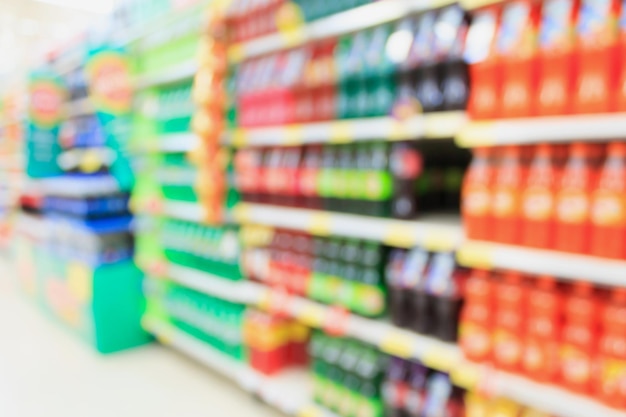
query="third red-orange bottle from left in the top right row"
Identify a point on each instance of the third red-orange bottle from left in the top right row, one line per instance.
(556, 63)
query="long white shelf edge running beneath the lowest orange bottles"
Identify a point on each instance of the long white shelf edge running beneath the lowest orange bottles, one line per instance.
(433, 353)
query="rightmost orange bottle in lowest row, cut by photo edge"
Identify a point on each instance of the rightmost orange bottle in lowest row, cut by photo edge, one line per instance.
(612, 387)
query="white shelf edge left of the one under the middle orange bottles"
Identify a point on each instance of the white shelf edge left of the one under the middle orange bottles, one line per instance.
(436, 233)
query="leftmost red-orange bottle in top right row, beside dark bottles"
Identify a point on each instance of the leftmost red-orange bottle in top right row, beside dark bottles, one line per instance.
(483, 64)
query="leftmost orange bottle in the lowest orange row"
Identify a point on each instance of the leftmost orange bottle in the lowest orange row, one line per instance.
(477, 317)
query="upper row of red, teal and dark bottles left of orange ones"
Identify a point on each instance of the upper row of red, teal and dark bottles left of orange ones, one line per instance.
(403, 68)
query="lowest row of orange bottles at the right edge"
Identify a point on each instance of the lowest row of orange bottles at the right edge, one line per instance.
(566, 334)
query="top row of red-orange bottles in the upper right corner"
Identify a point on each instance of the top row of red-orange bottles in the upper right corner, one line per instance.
(553, 57)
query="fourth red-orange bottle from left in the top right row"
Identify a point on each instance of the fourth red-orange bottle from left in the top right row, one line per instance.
(597, 56)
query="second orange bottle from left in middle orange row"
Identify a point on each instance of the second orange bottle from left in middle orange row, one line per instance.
(506, 206)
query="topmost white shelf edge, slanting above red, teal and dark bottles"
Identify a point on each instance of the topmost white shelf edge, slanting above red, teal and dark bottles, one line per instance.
(373, 14)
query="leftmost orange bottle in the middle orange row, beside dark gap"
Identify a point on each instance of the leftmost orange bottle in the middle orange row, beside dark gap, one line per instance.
(476, 194)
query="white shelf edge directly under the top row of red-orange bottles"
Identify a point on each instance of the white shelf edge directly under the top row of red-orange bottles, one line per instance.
(556, 129)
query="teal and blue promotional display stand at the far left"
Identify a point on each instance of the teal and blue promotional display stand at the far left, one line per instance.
(75, 248)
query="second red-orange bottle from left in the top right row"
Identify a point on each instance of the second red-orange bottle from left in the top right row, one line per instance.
(517, 49)
